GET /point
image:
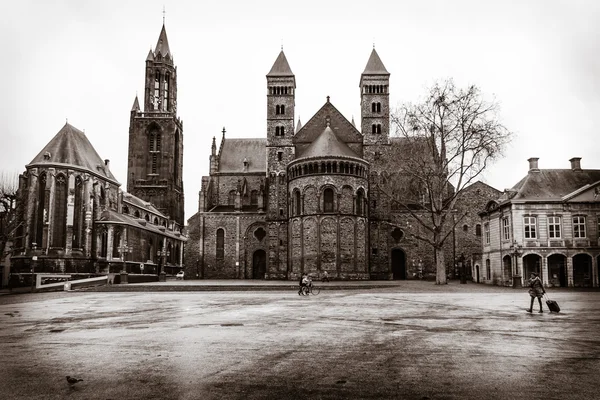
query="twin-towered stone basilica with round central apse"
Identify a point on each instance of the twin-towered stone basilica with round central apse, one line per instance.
(306, 197)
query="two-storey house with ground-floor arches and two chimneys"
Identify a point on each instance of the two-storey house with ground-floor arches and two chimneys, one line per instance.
(548, 223)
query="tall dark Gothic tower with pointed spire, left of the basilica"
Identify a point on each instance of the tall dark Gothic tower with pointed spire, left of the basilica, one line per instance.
(155, 167)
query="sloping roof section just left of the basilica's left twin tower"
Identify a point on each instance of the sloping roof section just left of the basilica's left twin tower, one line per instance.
(234, 151)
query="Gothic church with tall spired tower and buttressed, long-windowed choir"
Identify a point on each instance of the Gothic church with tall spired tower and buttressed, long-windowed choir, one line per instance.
(75, 219)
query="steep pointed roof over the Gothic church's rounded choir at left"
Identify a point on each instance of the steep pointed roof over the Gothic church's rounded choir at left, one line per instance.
(71, 147)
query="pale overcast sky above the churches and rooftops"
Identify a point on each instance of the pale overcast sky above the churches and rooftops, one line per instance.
(84, 61)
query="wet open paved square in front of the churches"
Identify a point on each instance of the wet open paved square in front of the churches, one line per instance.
(413, 340)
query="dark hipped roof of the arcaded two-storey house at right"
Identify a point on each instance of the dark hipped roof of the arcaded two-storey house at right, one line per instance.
(552, 184)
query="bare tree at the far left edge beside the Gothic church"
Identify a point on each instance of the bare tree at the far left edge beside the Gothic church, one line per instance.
(9, 184)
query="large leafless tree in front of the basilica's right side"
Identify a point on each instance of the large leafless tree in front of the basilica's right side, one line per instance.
(448, 140)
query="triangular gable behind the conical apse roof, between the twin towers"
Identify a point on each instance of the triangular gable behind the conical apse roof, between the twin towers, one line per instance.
(344, 130)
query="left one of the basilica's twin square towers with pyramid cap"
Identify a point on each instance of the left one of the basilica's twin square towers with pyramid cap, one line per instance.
(281, 87)
